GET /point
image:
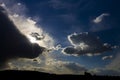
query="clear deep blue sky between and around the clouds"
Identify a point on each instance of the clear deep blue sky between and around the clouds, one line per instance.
(63, 17)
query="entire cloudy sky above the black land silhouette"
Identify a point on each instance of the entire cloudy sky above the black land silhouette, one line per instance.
(68, 36)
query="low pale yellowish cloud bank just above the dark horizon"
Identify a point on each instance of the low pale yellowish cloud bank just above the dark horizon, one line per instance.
(50, 66)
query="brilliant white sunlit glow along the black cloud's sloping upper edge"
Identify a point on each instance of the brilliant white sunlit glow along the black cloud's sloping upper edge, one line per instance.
(27, 25)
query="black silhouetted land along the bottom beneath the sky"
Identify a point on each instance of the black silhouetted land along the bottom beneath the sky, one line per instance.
(21, 75)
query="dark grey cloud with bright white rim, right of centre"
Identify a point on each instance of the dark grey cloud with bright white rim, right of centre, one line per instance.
(85, 43)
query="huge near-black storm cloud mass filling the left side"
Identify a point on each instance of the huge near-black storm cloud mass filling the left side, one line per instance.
(12, 43)
